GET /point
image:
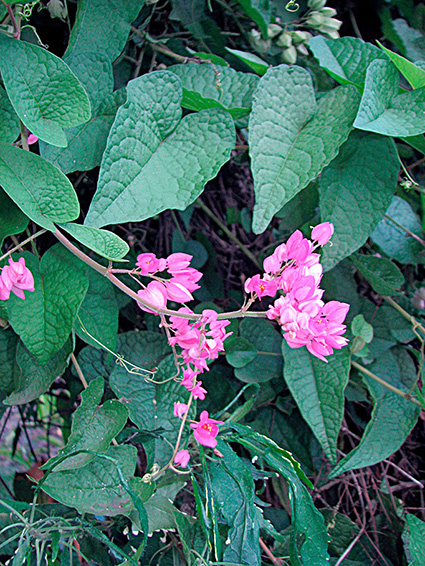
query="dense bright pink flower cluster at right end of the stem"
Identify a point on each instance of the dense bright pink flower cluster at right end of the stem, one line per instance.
(295, 270)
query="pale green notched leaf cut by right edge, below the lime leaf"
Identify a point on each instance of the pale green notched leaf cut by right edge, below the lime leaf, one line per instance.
(383, 110)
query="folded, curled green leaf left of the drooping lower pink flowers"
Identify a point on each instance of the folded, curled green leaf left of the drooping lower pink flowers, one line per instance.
(93, 428)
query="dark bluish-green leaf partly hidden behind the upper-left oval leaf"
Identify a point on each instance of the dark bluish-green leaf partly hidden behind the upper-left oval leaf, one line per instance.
(86, 143)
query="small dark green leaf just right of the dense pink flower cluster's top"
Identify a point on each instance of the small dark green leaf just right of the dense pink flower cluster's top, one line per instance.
(383, 275)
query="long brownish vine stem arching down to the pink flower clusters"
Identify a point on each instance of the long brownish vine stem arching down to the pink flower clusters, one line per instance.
(107, 272)
